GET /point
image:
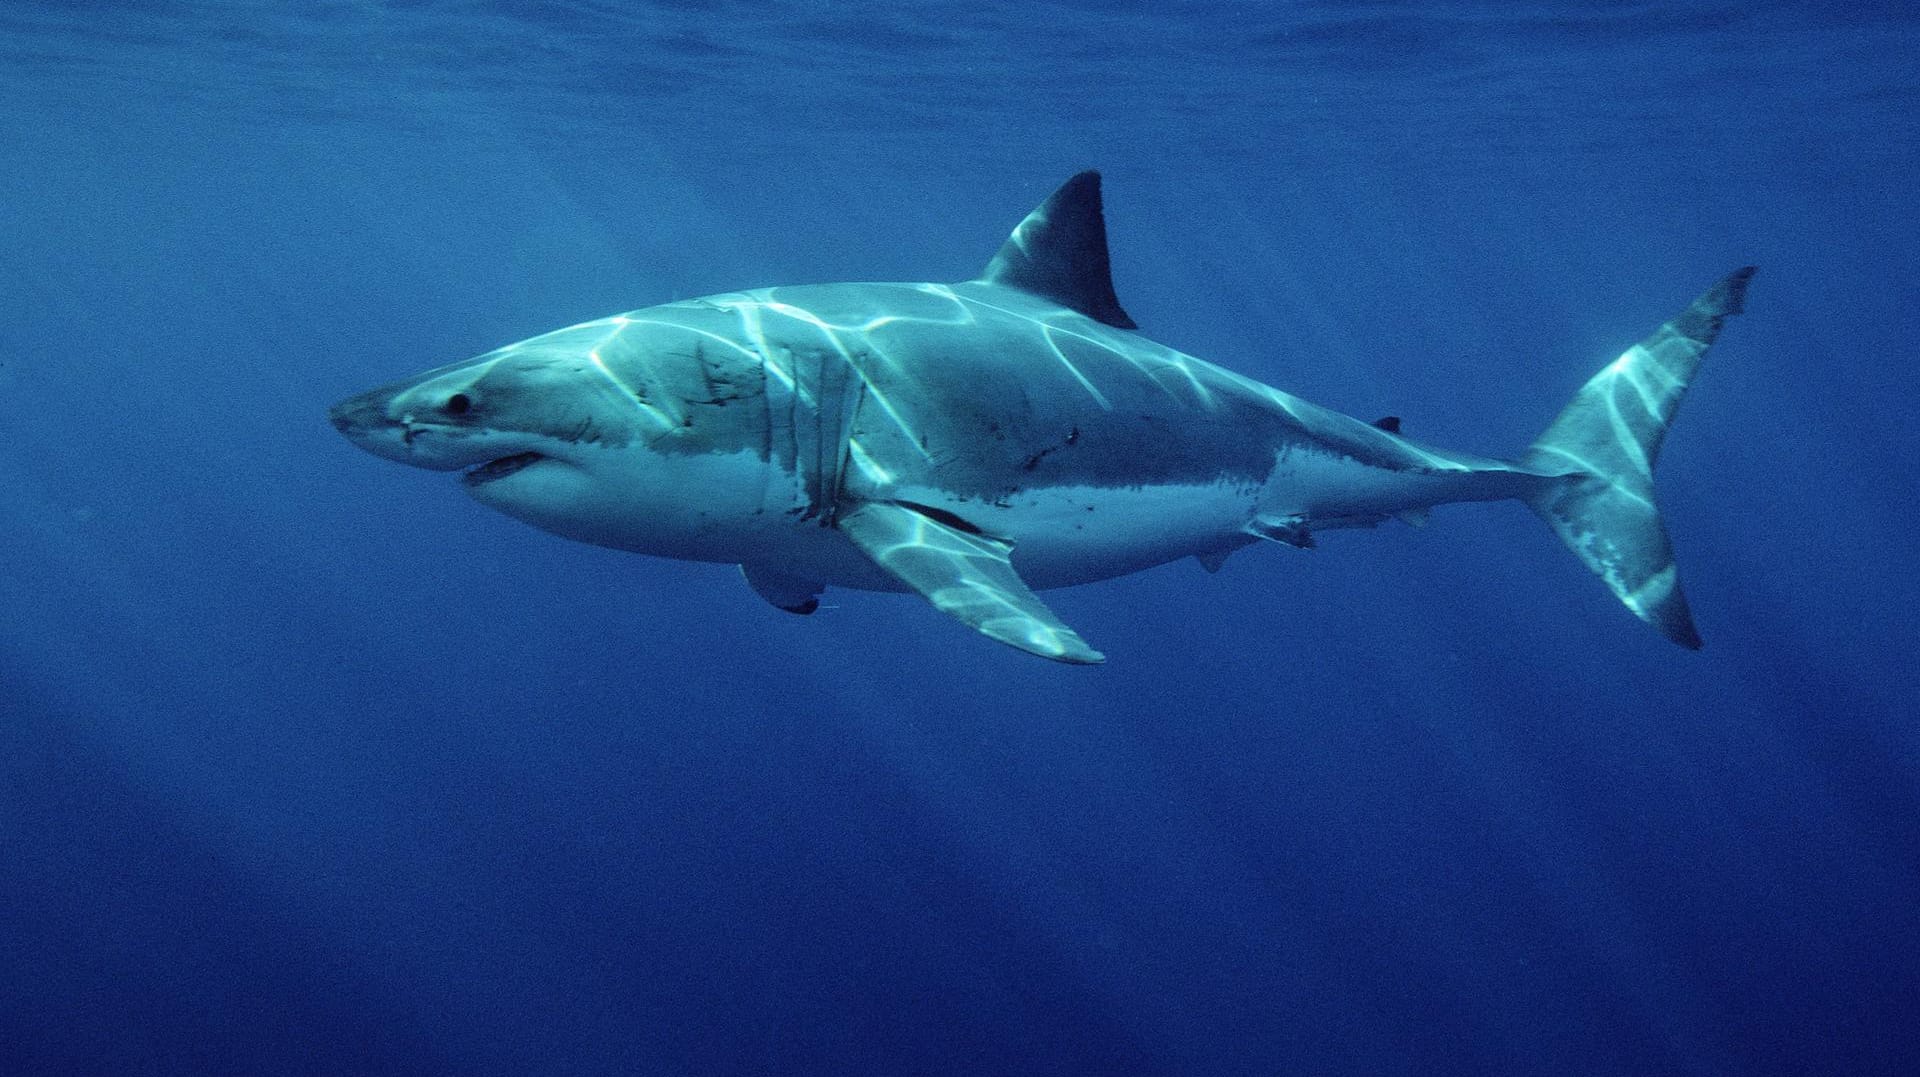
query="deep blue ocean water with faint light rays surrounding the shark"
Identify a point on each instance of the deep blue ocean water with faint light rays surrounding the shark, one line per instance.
(310, 765)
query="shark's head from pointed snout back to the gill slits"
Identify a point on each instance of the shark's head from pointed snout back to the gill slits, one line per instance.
(602, 433)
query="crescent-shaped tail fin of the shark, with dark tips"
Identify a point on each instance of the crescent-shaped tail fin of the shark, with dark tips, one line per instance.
(1604, 446)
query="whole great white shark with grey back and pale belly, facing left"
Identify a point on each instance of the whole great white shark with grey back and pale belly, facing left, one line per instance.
(986, 441)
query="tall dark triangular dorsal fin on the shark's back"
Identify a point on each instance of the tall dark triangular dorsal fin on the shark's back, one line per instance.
(1059, 252)
